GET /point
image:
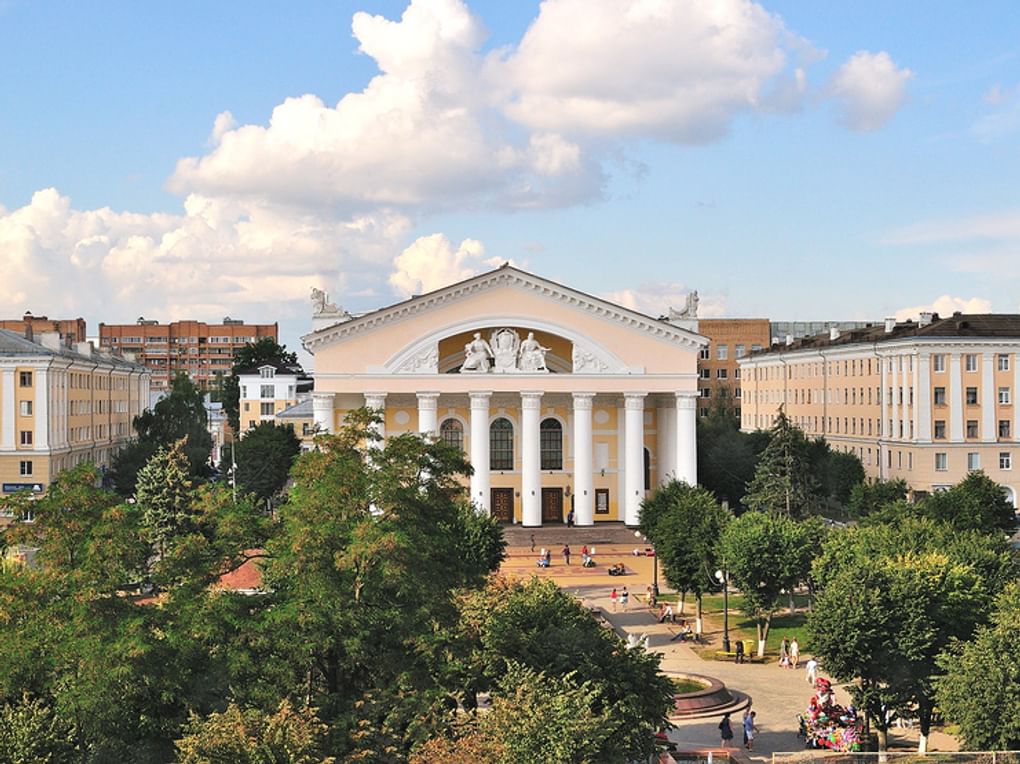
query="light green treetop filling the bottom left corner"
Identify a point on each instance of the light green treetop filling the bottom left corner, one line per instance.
(32, 734)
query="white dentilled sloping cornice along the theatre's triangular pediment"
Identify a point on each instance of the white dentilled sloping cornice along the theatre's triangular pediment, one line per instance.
(504, 277)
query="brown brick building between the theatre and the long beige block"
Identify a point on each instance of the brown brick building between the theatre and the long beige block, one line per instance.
(719, 368)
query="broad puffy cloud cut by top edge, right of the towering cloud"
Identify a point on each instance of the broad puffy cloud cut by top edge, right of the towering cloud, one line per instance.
(679, 70)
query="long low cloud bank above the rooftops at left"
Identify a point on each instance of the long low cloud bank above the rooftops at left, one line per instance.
(216, 258)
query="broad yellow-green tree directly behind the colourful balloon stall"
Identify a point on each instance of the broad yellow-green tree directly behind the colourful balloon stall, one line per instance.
(885, 623)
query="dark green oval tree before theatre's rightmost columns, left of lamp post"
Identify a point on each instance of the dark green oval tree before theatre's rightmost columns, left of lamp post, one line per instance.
(685, 524)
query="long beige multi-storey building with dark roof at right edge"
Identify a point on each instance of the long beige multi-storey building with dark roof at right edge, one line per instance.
(925, 401)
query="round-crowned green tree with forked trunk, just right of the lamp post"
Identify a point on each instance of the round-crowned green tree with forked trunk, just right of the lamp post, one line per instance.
(766, 555)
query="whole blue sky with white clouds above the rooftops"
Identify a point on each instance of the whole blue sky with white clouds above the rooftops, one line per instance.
(811, 161)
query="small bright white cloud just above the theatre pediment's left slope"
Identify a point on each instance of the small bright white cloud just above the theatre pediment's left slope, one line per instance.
(431, 263)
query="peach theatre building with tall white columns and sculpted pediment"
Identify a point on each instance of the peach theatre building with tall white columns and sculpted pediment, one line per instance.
(563, 401)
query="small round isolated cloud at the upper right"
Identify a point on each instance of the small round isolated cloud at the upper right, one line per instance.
(870, 89)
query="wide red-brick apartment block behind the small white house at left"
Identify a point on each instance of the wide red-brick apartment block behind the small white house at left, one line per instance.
(203, 351)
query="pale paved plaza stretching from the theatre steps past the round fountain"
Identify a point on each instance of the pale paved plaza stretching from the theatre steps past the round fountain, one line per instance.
(779, 695)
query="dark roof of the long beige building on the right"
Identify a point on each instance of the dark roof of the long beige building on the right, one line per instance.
(959, 326)
